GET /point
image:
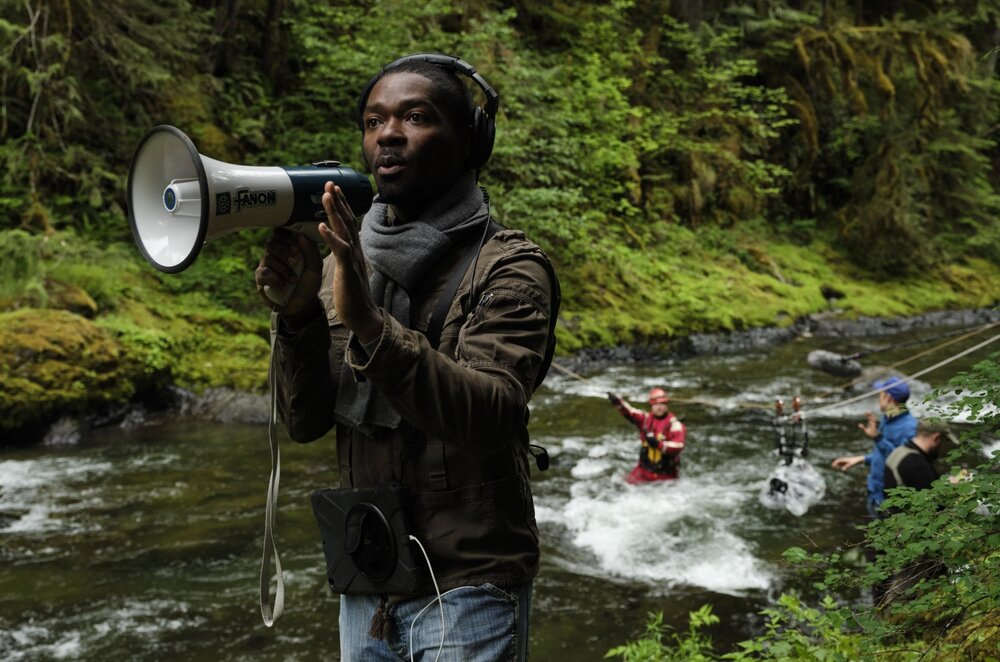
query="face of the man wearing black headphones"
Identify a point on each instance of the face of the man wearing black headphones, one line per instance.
(411, 143)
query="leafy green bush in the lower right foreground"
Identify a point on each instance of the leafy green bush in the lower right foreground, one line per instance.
(943, 540)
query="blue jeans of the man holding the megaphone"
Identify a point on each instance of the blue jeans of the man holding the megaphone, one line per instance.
(481, 624)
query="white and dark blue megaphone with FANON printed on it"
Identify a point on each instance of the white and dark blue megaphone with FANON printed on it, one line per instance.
(179, 199)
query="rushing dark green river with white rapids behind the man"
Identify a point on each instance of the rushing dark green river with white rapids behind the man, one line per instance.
(144, 541)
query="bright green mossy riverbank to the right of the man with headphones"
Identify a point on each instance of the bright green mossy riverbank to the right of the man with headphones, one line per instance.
(743, 279)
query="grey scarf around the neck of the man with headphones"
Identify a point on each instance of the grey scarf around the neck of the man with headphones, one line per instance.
(400, 256)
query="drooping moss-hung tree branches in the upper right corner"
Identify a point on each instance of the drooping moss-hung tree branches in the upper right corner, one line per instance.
(909, 175)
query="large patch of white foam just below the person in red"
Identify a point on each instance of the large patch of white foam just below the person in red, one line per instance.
(667, 534)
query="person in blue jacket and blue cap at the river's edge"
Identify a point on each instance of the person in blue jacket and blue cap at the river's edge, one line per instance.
(895, 428)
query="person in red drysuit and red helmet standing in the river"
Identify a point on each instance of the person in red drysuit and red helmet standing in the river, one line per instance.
(662, 436)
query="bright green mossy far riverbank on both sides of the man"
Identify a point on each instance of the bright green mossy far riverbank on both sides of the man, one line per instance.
(153, 330)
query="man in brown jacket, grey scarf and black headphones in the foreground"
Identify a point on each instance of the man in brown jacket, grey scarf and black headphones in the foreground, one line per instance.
(420, 339)
